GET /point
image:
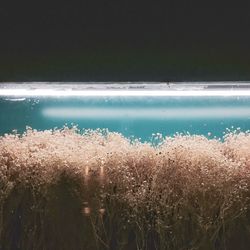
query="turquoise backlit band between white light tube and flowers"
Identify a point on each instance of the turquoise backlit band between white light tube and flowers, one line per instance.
(138, 116)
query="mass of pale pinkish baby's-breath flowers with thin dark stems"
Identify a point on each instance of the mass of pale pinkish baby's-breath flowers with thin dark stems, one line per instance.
(62, 189)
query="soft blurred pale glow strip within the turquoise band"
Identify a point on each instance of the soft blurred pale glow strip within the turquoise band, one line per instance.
(147, 113)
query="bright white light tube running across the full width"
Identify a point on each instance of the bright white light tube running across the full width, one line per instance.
(69, 93)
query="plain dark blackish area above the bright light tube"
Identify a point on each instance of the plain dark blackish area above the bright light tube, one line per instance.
(122, 40)
